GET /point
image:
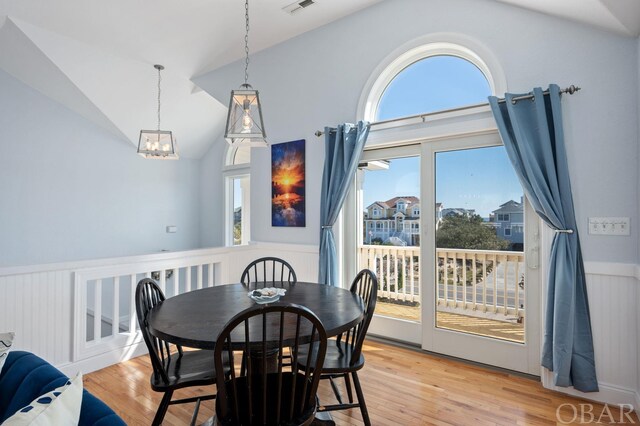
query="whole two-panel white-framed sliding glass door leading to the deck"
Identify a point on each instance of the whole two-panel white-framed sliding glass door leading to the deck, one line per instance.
(446, 228)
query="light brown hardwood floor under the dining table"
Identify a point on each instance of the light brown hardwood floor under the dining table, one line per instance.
(401, 386)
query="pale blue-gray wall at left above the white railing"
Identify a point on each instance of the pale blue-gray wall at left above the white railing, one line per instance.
(71, 191)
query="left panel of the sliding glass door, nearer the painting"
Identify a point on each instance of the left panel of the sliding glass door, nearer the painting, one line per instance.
(389, 241)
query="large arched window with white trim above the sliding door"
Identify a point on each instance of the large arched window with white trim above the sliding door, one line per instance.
(431, 77)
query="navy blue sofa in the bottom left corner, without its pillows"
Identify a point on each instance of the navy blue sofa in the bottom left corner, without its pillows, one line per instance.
(25, 376)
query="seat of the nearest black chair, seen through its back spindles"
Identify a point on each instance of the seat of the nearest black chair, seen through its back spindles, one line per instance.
(272, 391)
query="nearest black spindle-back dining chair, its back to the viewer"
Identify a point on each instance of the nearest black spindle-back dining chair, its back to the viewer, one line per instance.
(269, 393)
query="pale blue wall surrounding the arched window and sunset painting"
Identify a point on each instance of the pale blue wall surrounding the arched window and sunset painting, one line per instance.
(316, 79)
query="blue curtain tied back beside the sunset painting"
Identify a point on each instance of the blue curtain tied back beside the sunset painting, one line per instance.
(343, 148)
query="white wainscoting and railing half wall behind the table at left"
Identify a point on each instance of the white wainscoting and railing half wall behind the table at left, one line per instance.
(47, 305)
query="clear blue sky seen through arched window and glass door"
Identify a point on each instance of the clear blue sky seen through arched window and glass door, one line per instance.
(480, 179)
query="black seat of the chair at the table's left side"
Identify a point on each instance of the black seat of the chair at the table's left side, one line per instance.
(193, 368)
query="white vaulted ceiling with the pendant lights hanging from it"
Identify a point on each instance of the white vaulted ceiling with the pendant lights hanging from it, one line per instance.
(96, 57)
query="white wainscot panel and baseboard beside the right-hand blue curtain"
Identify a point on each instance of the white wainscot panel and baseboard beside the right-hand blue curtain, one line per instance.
(613, 291)
